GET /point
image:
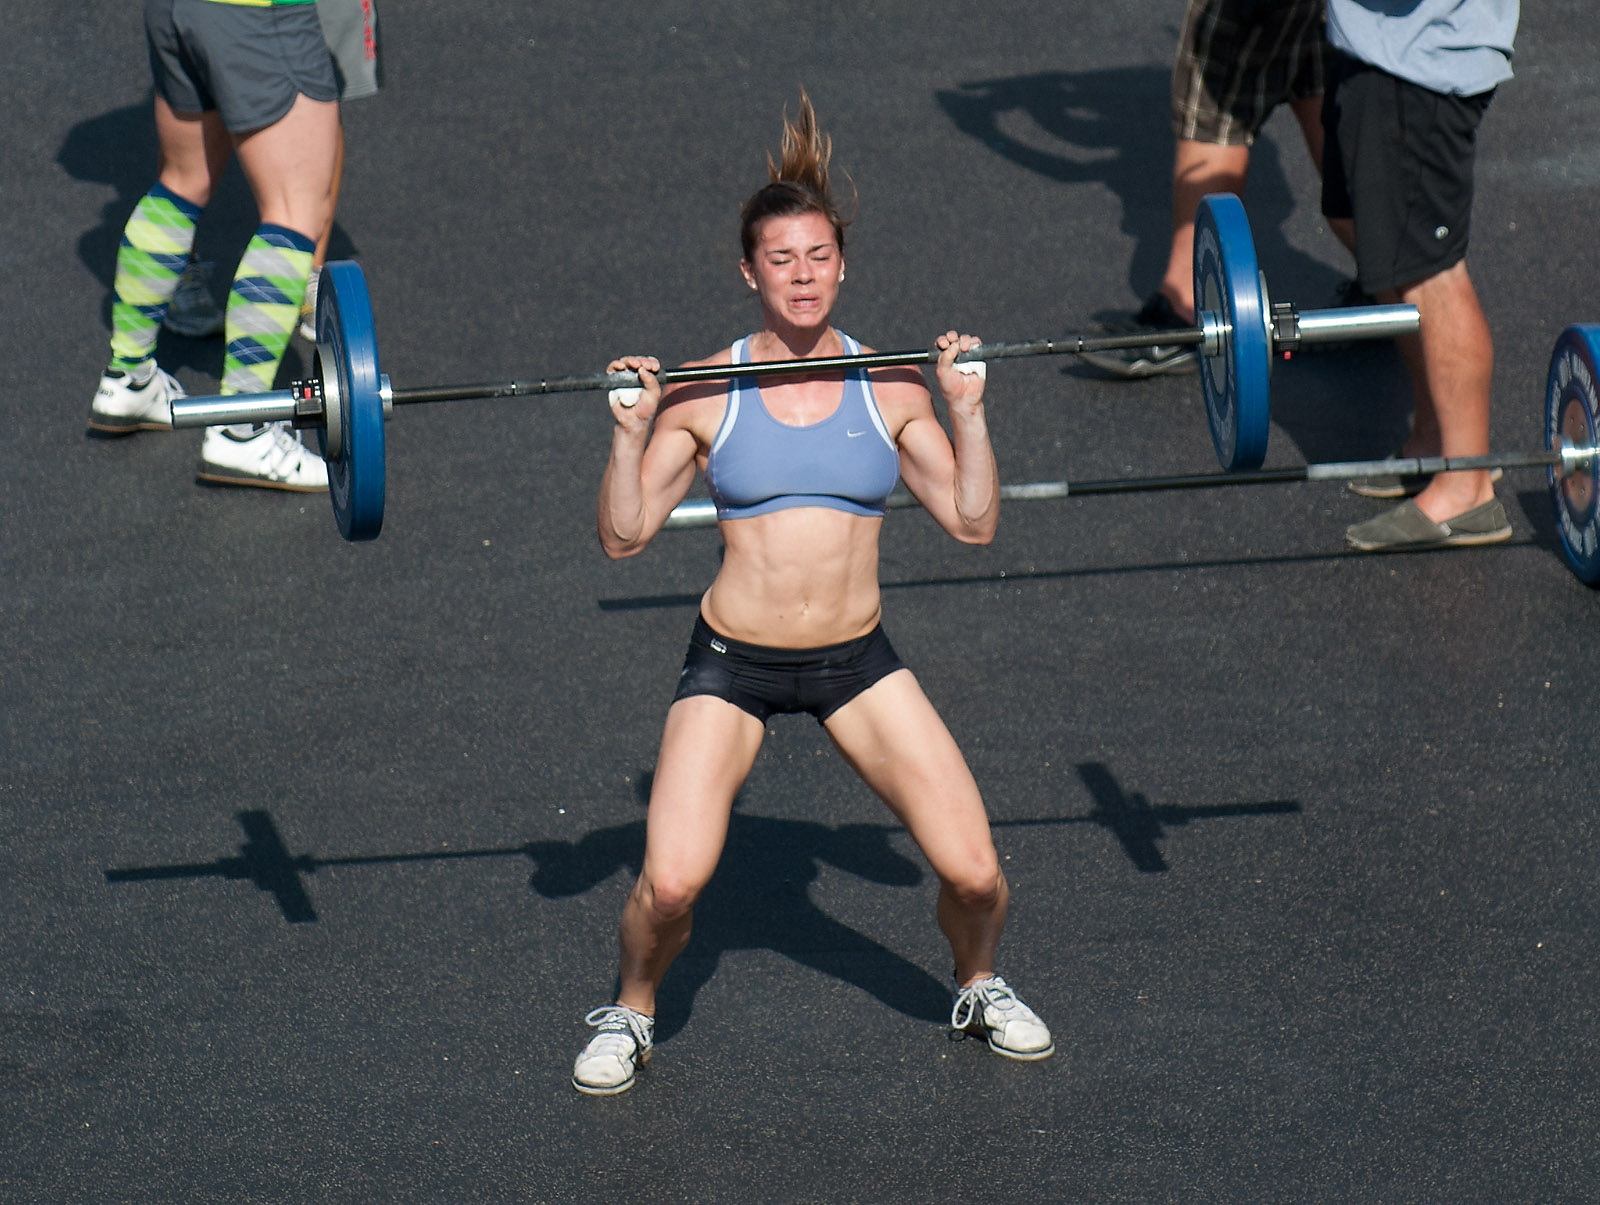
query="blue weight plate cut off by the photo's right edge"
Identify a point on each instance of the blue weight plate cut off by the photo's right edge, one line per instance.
(1572, 404)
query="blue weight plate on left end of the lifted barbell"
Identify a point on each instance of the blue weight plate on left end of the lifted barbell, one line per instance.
(348, 348)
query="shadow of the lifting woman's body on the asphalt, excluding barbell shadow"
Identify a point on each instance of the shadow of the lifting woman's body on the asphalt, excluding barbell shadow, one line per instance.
(761, 900)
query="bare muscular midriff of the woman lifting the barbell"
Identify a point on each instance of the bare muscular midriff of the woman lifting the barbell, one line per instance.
(798, 578)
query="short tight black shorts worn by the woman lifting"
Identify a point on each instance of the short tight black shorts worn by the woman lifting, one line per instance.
(769, 681)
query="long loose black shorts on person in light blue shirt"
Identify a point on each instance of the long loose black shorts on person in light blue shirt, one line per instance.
(1399, 161)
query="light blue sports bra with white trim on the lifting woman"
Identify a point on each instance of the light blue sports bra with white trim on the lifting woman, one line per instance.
(759, 465)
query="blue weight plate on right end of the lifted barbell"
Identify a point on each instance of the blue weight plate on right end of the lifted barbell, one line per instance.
(1236, 380)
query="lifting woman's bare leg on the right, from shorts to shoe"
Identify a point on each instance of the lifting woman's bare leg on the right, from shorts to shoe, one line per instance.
(900, 747)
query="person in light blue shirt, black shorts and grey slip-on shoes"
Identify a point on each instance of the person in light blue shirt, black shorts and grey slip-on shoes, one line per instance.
(1409, 87)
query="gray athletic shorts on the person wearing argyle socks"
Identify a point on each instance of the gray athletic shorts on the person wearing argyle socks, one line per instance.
(249, 63)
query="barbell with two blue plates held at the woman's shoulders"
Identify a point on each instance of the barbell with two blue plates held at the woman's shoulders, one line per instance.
(1239, 334)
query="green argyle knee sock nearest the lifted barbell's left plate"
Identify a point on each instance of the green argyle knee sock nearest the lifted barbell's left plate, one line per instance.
(263, 308)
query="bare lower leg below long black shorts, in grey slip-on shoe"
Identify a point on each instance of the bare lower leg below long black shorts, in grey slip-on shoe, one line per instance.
(1452, 364)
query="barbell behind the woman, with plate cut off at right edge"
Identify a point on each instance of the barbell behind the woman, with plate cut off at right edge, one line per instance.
(1572, 420)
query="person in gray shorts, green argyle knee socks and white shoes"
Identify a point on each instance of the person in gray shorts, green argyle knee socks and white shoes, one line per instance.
(255, 81)
